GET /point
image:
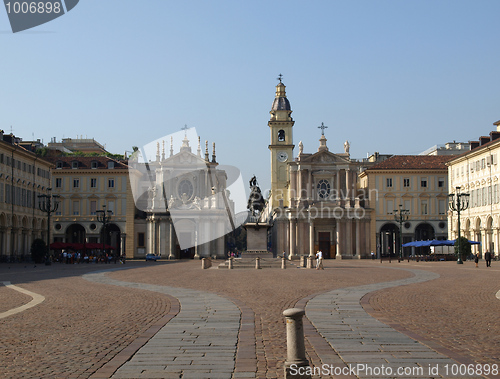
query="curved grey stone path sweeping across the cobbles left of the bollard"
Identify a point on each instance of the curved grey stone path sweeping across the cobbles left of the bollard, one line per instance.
(200, 342)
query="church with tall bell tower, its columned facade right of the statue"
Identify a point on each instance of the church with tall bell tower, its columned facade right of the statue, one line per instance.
(314, 202)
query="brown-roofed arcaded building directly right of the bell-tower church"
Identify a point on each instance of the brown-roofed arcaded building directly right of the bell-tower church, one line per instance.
(417, 183)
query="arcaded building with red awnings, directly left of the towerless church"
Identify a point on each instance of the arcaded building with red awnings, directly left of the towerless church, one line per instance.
(85, 186)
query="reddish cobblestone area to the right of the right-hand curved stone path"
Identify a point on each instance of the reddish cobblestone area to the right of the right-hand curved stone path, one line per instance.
(458, 311)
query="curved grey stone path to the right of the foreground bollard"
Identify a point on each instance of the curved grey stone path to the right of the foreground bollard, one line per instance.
(359, 339)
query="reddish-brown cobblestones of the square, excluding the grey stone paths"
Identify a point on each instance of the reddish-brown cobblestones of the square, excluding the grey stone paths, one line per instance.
(82, 326)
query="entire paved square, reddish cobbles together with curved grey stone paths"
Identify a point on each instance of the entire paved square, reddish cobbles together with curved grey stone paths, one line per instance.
(173, 320)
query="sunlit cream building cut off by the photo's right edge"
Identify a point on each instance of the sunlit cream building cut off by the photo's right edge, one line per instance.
(477, 173)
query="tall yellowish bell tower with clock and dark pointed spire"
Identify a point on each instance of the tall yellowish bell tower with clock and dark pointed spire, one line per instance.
(281, 146)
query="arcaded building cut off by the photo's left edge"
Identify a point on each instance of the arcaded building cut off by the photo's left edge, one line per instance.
(23, 177)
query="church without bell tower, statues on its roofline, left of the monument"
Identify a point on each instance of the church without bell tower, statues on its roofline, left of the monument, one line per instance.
(183, 198)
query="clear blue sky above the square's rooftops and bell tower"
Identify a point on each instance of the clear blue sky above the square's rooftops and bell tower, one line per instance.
(389, 76)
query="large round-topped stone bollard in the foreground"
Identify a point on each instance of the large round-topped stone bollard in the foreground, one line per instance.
(295, 347)
